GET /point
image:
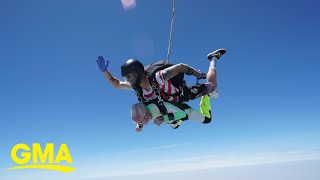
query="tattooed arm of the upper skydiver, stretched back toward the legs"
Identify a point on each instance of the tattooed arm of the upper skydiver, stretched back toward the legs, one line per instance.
(174, 70)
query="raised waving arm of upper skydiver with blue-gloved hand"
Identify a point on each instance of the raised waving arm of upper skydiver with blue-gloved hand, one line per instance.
(103, 65)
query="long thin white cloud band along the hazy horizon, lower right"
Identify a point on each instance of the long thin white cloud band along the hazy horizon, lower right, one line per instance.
(210, 161)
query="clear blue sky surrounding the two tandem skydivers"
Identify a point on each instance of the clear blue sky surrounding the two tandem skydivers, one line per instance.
(53, 91)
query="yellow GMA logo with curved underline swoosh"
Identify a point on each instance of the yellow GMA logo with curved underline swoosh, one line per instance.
(41, 159)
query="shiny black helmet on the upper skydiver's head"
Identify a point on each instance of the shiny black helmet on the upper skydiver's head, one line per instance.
(132, 71)
